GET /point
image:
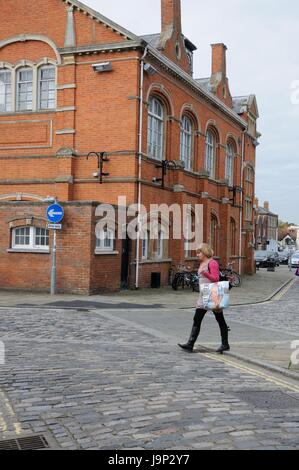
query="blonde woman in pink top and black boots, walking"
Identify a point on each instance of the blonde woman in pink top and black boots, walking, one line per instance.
(208, 274)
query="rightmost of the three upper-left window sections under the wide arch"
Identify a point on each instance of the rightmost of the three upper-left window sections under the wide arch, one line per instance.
(46, 87)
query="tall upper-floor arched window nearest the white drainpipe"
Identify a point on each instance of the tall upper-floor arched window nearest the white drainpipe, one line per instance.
(156, 129)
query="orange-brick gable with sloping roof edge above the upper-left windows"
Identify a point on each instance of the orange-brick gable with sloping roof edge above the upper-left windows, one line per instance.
(55, 18)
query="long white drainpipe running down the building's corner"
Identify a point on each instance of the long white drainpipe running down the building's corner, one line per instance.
(140, 165)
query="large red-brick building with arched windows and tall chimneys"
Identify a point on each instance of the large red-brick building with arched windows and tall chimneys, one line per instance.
(73, 82)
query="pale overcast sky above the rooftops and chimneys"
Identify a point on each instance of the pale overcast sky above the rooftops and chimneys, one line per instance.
(263, 59)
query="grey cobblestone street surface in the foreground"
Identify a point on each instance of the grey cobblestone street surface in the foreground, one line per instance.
(95, 382)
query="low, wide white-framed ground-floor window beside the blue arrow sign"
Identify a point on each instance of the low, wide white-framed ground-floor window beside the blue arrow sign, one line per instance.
(31, 238)
